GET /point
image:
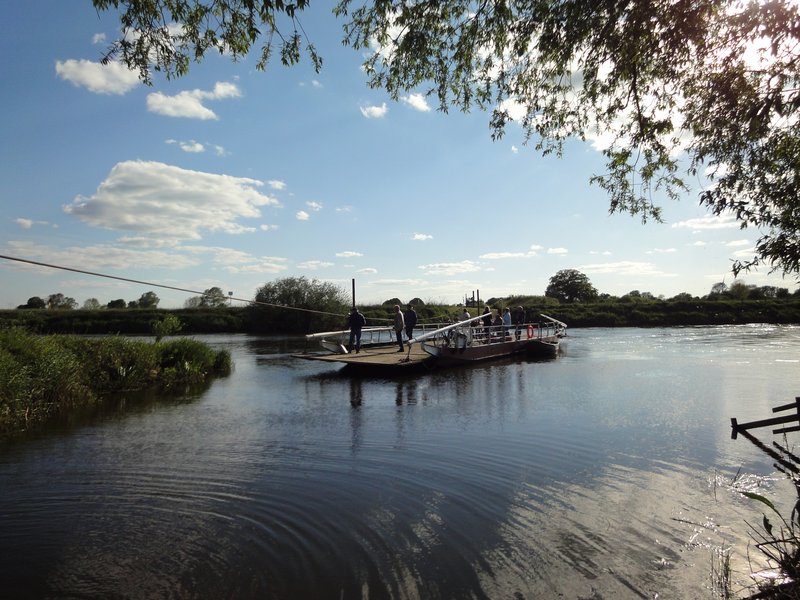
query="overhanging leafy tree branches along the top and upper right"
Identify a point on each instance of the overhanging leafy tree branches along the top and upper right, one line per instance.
(680, 88)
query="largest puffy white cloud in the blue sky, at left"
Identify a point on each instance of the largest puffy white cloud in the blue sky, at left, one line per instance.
(157, 199)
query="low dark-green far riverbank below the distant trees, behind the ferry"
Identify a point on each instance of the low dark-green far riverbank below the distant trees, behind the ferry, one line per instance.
(267, 320)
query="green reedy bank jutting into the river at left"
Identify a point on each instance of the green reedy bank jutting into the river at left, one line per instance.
(42, 377)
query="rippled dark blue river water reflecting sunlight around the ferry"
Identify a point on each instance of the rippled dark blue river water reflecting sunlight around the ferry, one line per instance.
(607, 472)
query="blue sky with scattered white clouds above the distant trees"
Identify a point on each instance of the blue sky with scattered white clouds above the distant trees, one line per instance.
(232, 177)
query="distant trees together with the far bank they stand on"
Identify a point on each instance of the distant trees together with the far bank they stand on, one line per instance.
(299, 305)
